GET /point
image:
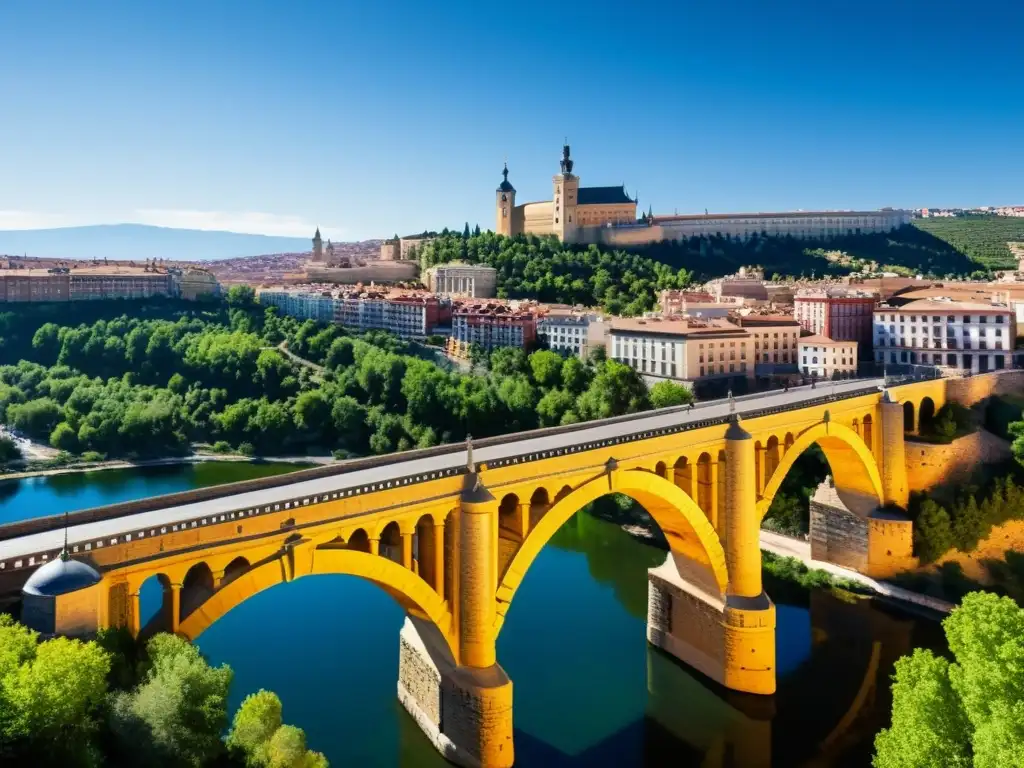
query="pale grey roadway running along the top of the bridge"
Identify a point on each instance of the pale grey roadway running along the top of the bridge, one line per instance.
(353, 480)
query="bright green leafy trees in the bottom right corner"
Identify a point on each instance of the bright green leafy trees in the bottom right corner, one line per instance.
(969, 712)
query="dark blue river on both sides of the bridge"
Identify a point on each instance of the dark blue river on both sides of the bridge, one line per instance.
(589, 691)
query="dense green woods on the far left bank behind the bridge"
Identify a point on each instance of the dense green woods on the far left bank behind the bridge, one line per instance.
(131, 387)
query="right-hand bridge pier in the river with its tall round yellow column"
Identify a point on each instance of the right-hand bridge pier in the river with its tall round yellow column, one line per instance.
(731, 638)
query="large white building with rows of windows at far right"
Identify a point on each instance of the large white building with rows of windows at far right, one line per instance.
(971, 337)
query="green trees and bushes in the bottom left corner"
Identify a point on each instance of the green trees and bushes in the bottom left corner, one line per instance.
(107, 702)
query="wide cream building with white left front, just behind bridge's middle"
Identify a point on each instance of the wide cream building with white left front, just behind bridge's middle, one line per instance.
(687, 350)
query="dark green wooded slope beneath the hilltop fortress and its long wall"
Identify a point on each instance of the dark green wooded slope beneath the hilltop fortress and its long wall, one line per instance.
(628, 282)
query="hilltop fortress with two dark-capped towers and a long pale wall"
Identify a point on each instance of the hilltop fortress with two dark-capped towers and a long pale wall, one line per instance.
(609, 216)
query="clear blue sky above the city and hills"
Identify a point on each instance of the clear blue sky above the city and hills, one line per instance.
(374, 118)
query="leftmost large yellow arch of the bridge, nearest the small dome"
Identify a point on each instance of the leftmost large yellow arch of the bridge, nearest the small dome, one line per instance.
(408, 589)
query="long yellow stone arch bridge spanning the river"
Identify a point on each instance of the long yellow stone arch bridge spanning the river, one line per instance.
(451, 534)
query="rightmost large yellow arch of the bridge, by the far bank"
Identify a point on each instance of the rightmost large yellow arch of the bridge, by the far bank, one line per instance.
(850, 459)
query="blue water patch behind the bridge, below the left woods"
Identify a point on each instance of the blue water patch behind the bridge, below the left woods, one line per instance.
(54, 495)
